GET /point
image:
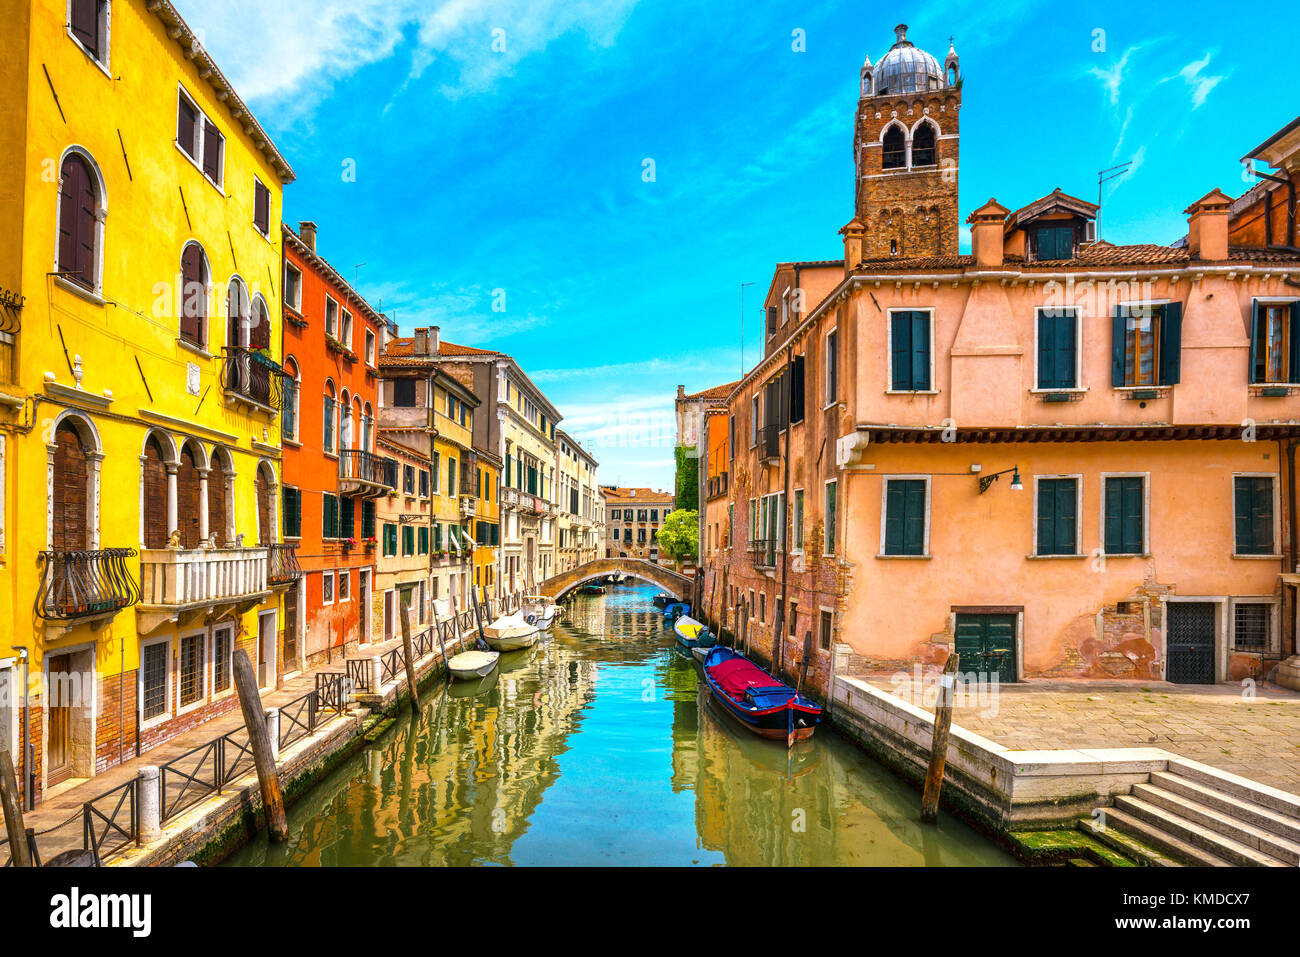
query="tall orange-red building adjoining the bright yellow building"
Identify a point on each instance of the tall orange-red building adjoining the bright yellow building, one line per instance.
(332, 471)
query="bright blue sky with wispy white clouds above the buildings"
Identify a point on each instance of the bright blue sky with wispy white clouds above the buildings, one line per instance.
(501, 145)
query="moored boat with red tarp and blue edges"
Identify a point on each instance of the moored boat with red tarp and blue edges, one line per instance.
(760, 701)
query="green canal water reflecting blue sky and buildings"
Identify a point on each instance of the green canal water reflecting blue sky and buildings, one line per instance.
(600, 748)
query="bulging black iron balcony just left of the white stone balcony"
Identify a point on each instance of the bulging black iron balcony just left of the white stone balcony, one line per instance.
(84, 587)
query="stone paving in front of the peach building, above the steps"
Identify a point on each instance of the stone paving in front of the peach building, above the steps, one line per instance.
(1217, 725)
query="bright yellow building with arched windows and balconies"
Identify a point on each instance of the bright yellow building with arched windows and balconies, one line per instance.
(140, 387)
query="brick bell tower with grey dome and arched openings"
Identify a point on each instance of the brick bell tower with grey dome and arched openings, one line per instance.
(905, 153)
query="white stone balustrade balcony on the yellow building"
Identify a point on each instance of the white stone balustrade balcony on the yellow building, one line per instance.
(192, 586)
